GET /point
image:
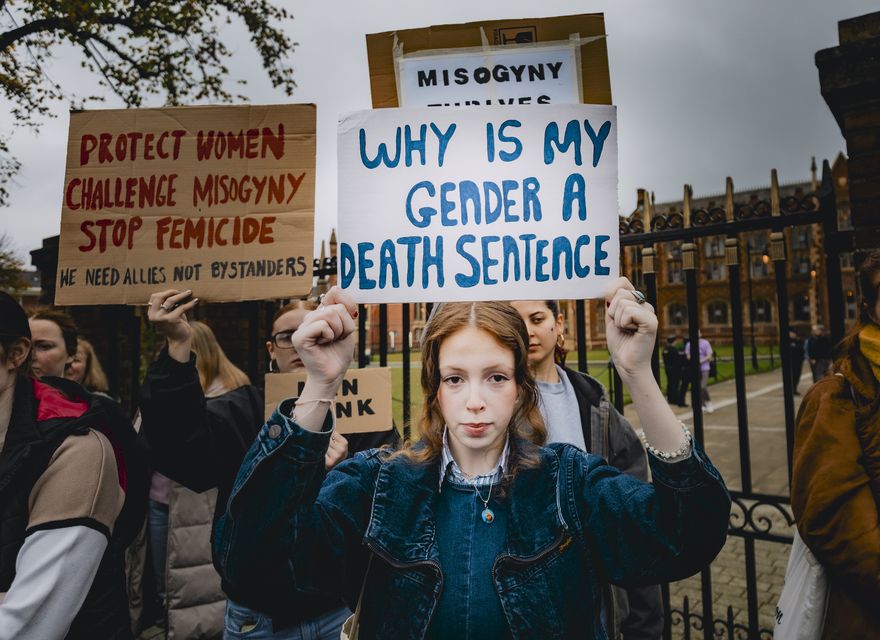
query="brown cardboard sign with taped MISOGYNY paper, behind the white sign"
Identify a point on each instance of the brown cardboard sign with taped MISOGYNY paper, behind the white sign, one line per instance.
(477, 69)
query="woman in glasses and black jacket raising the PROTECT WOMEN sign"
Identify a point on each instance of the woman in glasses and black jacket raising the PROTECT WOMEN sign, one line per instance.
(172, 395)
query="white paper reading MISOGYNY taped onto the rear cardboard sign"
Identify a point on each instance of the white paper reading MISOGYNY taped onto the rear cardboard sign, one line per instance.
(533, 74)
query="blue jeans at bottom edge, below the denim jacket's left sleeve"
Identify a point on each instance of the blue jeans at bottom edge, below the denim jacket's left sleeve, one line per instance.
(246, 624)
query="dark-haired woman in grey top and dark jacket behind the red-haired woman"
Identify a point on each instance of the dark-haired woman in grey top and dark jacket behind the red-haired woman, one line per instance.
(576, 410)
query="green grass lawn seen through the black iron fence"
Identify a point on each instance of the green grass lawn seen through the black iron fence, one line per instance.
(598, 368)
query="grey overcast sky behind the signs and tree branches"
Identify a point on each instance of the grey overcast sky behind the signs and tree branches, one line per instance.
(704, 89)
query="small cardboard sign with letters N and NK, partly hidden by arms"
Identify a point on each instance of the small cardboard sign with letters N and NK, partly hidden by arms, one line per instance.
(363, 402)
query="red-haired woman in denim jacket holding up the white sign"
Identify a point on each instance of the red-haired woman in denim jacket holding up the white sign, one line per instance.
(476, 530)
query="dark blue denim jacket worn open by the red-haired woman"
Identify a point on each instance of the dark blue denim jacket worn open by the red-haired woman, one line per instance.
(574, 523)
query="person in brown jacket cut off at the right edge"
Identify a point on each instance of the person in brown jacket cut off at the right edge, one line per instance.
(835, 485)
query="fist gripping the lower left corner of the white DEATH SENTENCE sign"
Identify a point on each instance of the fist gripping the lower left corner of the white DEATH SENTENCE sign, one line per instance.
(325, 341)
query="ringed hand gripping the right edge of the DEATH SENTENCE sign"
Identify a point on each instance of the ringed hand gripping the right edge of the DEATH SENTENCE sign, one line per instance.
(630, 330)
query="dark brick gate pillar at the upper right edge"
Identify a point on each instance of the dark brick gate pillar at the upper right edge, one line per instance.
(849, 75)
